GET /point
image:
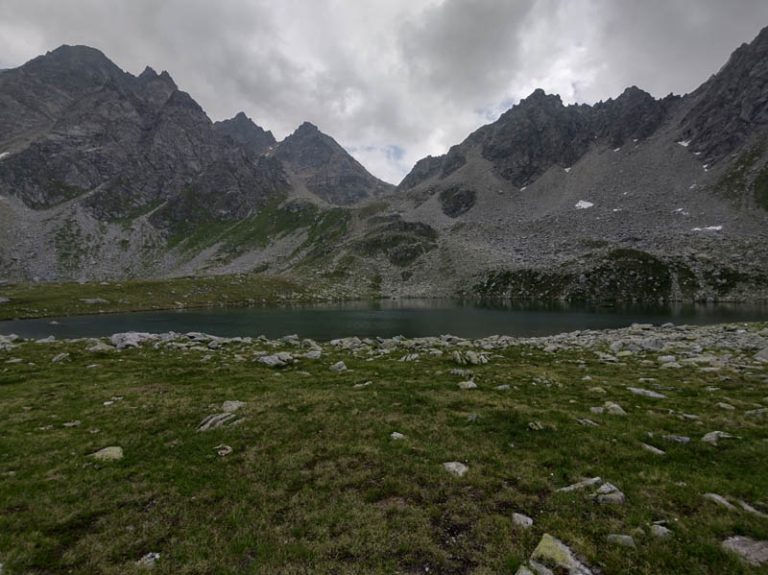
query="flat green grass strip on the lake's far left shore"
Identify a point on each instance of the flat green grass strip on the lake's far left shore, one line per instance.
(59, 299)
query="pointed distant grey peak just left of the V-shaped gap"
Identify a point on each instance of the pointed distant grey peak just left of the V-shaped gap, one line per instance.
(326, 169)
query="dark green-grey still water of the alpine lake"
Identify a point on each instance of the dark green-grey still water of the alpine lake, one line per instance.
(410, 318)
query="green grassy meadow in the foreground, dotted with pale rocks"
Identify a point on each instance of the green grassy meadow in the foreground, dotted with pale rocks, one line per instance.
(315, 485)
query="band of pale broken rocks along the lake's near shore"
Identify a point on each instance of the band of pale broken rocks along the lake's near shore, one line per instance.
(710, 346)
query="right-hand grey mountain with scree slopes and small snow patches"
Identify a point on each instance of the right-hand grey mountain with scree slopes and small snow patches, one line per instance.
(634, 198)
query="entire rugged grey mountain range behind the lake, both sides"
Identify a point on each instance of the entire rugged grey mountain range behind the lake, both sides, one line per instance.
(106, 175)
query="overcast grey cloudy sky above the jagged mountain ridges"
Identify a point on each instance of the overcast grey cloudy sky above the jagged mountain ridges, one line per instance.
(392, 80)
